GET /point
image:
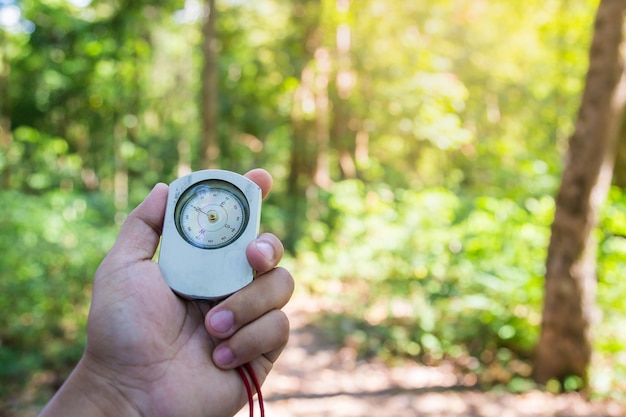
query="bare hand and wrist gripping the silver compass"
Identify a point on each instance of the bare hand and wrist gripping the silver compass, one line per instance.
(150, 353)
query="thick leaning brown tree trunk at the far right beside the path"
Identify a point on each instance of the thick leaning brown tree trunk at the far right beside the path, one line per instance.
(564, 347)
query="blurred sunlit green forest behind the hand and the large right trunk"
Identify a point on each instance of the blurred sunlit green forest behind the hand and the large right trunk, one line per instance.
(416, 148)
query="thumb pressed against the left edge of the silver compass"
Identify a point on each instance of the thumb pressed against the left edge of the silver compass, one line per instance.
(140, 234)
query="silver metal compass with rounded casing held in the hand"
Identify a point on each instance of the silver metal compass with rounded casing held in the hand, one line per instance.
(210, 218)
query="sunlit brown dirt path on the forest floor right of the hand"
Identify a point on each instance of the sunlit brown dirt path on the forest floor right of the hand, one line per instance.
(315, 378)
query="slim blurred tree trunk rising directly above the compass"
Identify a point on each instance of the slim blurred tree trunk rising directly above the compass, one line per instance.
(209, 148)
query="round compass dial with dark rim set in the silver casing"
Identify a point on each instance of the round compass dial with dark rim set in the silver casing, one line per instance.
(211, 214)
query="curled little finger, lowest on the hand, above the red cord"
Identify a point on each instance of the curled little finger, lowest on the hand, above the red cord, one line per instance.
(266, 336)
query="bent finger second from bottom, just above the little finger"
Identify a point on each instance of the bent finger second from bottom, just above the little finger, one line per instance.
(267, 292)
